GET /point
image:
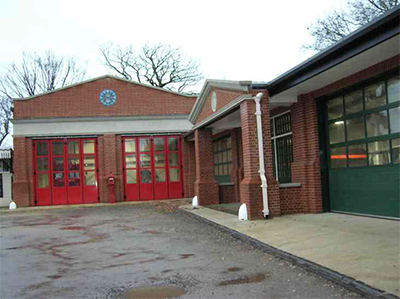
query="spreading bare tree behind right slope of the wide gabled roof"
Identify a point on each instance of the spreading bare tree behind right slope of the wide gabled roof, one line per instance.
(159, 65)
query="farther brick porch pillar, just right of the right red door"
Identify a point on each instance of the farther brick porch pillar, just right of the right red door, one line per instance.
(206, 188)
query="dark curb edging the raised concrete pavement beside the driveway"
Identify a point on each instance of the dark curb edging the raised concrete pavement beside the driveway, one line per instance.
(345, 281)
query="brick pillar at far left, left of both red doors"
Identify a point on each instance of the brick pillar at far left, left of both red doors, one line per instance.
(22, 180)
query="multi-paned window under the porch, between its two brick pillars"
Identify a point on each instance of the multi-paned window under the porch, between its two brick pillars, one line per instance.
(222, 150)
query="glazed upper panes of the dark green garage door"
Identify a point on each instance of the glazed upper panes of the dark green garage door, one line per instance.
(364, 125)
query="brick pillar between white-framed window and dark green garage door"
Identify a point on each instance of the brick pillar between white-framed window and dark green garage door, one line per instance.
(306, 166)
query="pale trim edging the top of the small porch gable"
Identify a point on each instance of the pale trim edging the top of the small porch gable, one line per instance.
(205, 91)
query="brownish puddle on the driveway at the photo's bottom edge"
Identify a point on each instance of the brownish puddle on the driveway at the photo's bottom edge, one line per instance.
(153, 292)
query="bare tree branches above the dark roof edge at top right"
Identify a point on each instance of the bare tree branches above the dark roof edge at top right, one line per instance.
(339, 23)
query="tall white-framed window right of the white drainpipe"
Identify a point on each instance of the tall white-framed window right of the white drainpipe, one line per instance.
(282, 148)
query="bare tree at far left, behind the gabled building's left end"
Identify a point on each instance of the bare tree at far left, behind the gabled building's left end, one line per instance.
(35, 74)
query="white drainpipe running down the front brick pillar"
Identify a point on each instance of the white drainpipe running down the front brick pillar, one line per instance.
(264, 183)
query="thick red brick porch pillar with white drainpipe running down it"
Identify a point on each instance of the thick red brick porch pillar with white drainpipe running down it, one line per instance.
(250, 187)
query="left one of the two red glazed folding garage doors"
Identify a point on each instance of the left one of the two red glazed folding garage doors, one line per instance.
(66, 171)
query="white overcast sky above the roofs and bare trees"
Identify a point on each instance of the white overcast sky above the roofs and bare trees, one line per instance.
(233, 40)
